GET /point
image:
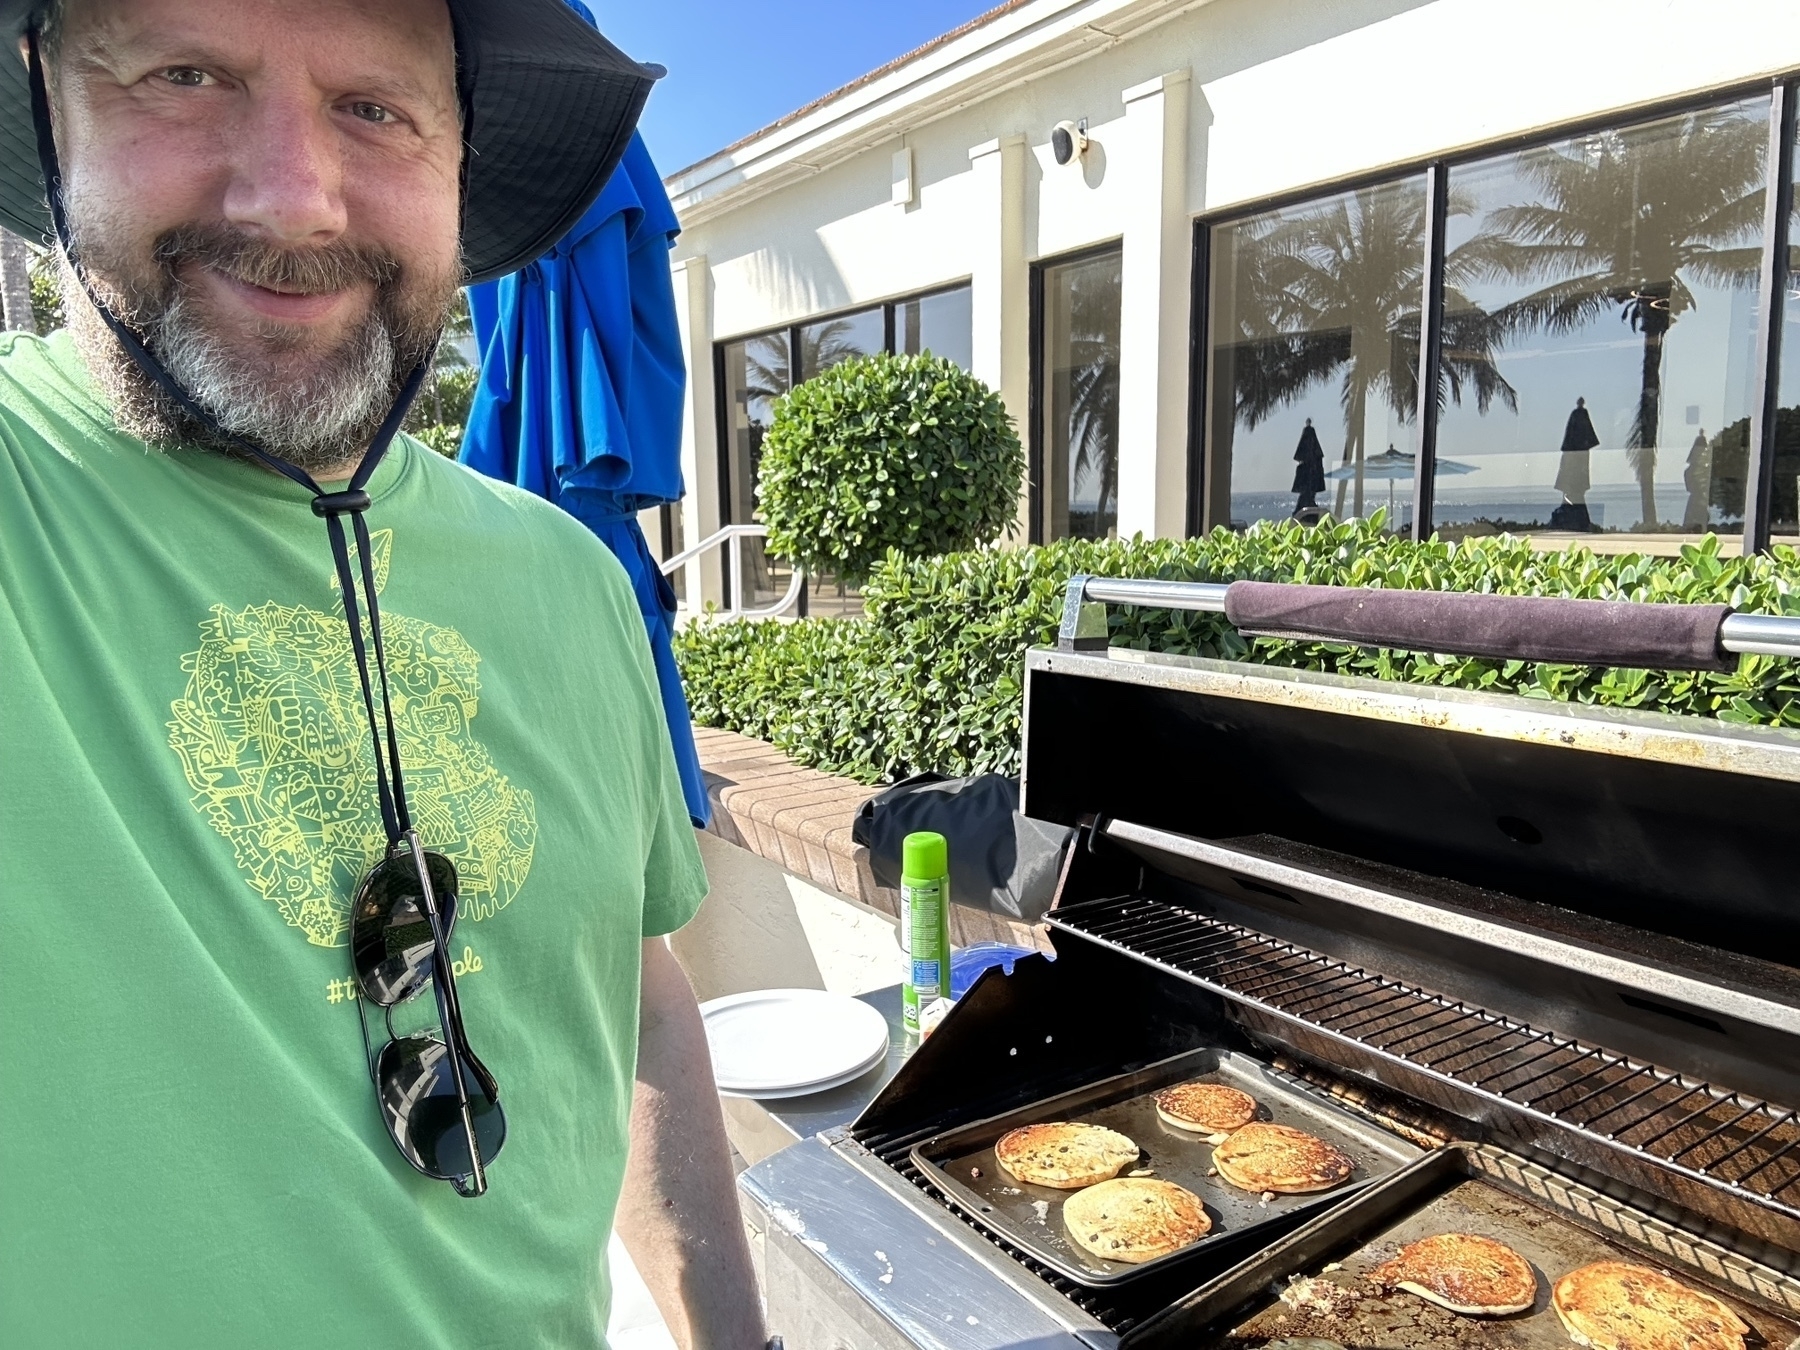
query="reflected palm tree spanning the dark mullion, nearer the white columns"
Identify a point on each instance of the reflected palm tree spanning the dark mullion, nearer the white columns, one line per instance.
(1331, 292)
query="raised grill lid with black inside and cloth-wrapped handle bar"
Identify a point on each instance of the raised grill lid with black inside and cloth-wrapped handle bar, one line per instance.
(1682, 827)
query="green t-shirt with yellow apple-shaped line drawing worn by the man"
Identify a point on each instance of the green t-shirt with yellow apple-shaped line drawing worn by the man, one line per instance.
(190, 1142)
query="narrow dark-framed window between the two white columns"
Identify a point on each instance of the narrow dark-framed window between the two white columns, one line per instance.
(1075, 444)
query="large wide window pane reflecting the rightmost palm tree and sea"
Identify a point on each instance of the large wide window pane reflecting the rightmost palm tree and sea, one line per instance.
(1599, 303)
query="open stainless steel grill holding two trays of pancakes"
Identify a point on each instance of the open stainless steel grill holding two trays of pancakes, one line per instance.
(1536, 939)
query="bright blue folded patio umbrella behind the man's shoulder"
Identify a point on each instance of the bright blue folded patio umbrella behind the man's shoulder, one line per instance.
(580, 397)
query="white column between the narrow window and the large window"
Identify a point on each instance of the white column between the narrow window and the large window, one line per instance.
(1155, 309)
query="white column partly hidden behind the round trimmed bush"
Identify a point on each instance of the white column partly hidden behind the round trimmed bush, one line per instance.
(1000, 285)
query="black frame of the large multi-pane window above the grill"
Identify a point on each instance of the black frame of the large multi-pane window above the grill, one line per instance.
(1779, 166)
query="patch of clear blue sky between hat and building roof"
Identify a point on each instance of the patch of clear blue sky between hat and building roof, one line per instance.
(735, 67)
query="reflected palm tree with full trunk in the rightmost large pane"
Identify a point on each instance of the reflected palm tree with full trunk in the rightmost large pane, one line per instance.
(1628, 222)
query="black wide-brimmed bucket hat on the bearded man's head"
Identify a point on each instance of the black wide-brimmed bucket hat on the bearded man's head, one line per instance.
(550, 107)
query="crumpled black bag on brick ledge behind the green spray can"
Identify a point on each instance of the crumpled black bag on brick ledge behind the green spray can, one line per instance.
(1000, 861)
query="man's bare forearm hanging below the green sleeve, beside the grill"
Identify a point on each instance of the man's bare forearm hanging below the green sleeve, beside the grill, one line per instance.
(679, 1210)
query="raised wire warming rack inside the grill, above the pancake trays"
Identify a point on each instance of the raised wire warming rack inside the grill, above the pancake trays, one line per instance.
(1723, 1138)
